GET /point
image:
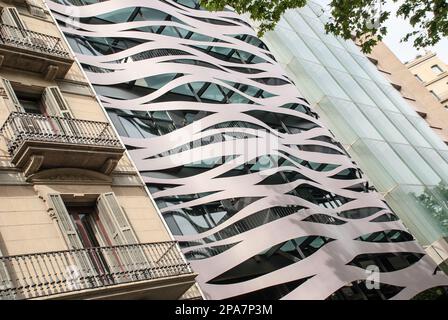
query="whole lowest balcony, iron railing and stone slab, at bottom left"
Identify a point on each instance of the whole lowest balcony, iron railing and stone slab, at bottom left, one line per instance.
(140, 271)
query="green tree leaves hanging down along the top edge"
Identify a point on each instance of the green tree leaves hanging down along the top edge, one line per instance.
(363, 19)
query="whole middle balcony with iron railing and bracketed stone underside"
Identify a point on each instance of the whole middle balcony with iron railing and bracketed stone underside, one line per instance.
(36, 142)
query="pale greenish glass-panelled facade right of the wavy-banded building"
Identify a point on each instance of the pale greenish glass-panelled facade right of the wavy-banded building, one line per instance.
(400, 154)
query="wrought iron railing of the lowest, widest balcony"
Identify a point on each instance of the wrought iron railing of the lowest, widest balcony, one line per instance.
(44, 274)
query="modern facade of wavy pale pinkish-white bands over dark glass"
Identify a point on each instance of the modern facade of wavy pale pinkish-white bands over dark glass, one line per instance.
(264, 202)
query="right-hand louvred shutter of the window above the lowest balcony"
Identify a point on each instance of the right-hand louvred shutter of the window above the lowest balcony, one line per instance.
(120, 232)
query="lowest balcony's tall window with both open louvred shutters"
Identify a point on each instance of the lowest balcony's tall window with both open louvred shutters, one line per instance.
(94, 222)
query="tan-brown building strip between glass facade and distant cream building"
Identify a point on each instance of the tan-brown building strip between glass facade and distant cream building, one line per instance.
(413, 90)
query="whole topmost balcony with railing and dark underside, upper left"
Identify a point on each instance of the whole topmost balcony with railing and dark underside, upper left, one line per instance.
(33, 51)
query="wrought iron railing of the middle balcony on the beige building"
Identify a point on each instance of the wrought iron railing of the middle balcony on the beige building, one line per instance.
(21, 127)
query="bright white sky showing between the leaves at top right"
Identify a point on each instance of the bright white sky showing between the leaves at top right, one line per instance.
(397, 29)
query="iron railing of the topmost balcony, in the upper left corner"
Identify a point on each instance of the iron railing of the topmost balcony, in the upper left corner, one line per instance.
(30, 40)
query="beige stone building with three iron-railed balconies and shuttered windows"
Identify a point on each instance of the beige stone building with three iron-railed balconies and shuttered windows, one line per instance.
(76, 221)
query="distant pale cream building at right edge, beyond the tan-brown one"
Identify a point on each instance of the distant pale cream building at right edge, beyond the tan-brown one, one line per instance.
(433, 73)
